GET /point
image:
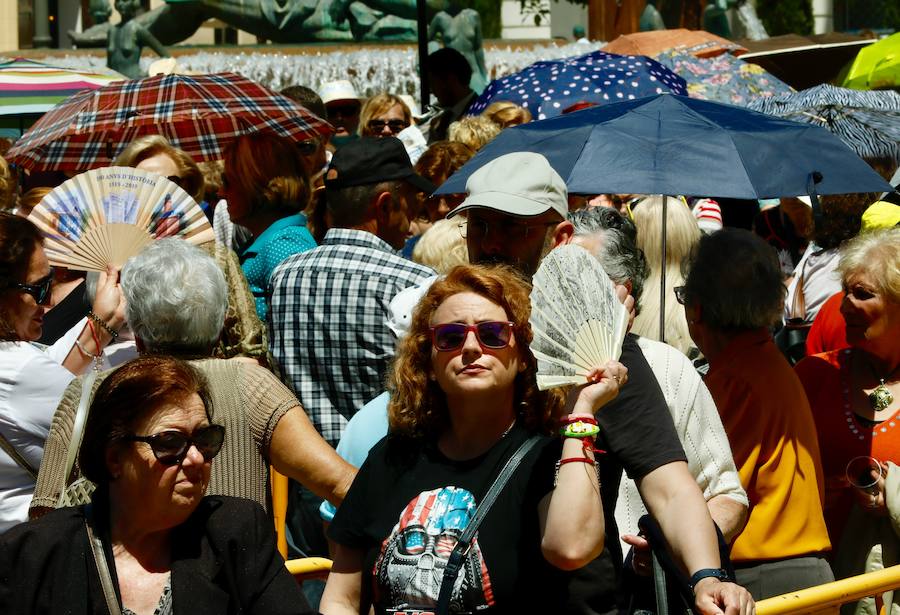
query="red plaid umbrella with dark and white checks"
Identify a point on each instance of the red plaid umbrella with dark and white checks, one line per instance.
(200, 114)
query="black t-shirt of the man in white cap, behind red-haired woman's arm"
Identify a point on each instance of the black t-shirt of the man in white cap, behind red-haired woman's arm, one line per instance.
(637, 433)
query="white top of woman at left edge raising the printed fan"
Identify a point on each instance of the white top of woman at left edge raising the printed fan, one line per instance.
(31, 385)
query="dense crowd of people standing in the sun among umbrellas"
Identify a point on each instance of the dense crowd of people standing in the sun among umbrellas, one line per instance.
(370, 340)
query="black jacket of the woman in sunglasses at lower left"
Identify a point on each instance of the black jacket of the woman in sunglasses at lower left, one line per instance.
(224, 561)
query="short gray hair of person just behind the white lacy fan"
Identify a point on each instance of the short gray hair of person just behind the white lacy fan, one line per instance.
(618, 251)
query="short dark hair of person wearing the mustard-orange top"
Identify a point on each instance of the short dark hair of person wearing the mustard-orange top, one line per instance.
(736, 278)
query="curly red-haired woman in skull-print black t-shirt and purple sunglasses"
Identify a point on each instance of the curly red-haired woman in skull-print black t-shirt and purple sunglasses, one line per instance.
(463, 398)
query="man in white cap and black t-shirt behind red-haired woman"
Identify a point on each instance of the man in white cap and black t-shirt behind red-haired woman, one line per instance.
(517, 207)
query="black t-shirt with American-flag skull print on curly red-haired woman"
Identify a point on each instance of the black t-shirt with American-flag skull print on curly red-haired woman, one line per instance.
(406, 509)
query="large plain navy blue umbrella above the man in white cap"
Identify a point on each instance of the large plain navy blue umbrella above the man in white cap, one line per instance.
(668, 144)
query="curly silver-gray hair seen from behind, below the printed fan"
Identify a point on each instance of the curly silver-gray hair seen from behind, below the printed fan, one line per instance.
(176, 297)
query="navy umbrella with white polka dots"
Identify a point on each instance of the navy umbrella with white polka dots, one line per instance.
(549, 87)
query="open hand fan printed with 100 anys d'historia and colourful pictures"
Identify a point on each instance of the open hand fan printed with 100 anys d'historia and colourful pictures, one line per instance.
(108, 215)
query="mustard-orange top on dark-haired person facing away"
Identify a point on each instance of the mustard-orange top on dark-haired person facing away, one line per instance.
(773, 439)
